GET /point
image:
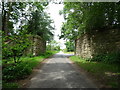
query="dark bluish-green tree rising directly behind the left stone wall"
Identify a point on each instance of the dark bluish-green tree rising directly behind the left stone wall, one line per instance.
(40, 23)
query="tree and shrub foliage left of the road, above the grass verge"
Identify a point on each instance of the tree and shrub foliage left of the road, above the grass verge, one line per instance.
(19, 21)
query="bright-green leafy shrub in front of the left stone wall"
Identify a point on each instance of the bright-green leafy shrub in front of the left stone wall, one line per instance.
(14, 46)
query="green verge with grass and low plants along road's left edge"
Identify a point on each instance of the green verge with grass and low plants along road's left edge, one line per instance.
(15, 72)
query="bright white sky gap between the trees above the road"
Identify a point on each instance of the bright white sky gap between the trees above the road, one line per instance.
(53, 9)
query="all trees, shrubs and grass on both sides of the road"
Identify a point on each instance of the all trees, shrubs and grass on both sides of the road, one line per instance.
(22, 19)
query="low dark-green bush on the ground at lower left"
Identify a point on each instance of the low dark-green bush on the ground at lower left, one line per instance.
(16, 71)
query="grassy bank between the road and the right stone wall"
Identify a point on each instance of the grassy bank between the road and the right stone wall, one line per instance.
(105, 74)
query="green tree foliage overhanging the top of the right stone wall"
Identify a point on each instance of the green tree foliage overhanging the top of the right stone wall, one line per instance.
(84, 17)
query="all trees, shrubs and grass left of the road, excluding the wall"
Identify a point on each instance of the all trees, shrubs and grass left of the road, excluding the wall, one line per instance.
(20, 21)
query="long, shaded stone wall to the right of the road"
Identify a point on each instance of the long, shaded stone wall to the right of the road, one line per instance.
(97, 42)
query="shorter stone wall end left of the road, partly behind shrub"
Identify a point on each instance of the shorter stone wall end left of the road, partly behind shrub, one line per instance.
(37, 47)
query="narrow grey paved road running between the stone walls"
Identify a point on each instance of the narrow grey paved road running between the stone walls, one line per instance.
(58, 72)
